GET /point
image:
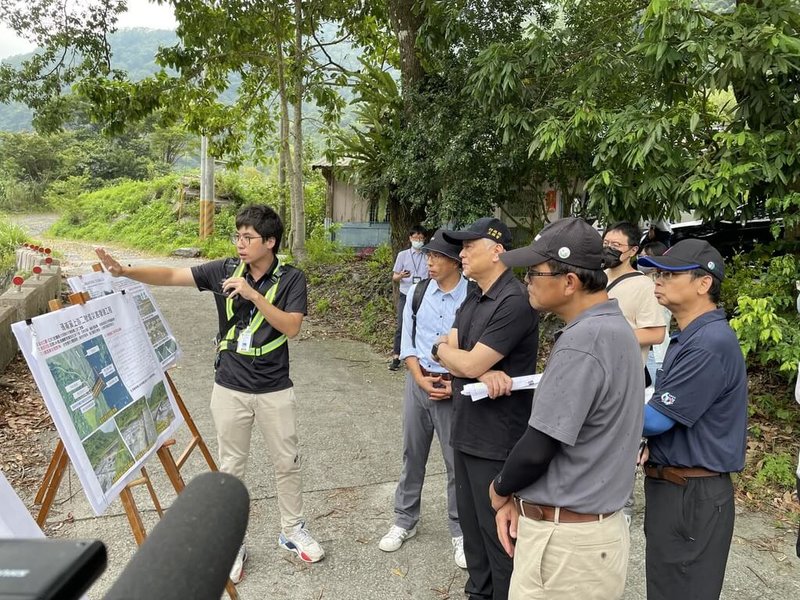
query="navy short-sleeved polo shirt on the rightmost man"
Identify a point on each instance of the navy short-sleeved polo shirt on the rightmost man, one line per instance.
(703, 387)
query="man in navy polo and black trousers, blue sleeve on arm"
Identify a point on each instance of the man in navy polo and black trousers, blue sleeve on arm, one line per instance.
(696, 425)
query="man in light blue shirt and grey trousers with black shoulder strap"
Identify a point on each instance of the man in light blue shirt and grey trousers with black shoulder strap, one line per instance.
(427, 400)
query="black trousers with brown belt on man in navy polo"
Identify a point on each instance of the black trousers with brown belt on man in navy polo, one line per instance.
(688, 531)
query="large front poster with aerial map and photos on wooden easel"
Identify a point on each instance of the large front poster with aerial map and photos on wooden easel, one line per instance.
(104, 387)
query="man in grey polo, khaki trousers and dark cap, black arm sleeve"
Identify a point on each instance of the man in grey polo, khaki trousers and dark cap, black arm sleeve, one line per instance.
(572, 470)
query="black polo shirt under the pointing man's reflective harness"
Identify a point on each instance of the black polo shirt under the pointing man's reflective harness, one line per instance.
(256, 375)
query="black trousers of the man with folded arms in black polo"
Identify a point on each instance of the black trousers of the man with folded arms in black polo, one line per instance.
(488, 564)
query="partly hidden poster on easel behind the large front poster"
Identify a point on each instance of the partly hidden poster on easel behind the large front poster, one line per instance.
(100, 284)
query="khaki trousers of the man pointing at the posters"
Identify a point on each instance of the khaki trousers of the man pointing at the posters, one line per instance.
(275, 413)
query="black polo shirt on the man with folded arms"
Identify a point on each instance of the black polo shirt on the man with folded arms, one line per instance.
(502, 319)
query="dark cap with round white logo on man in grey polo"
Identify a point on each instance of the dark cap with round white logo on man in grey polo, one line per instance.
(571, 241)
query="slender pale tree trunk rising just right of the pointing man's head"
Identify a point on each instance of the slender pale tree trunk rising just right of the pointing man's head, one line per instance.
(298, 202)
